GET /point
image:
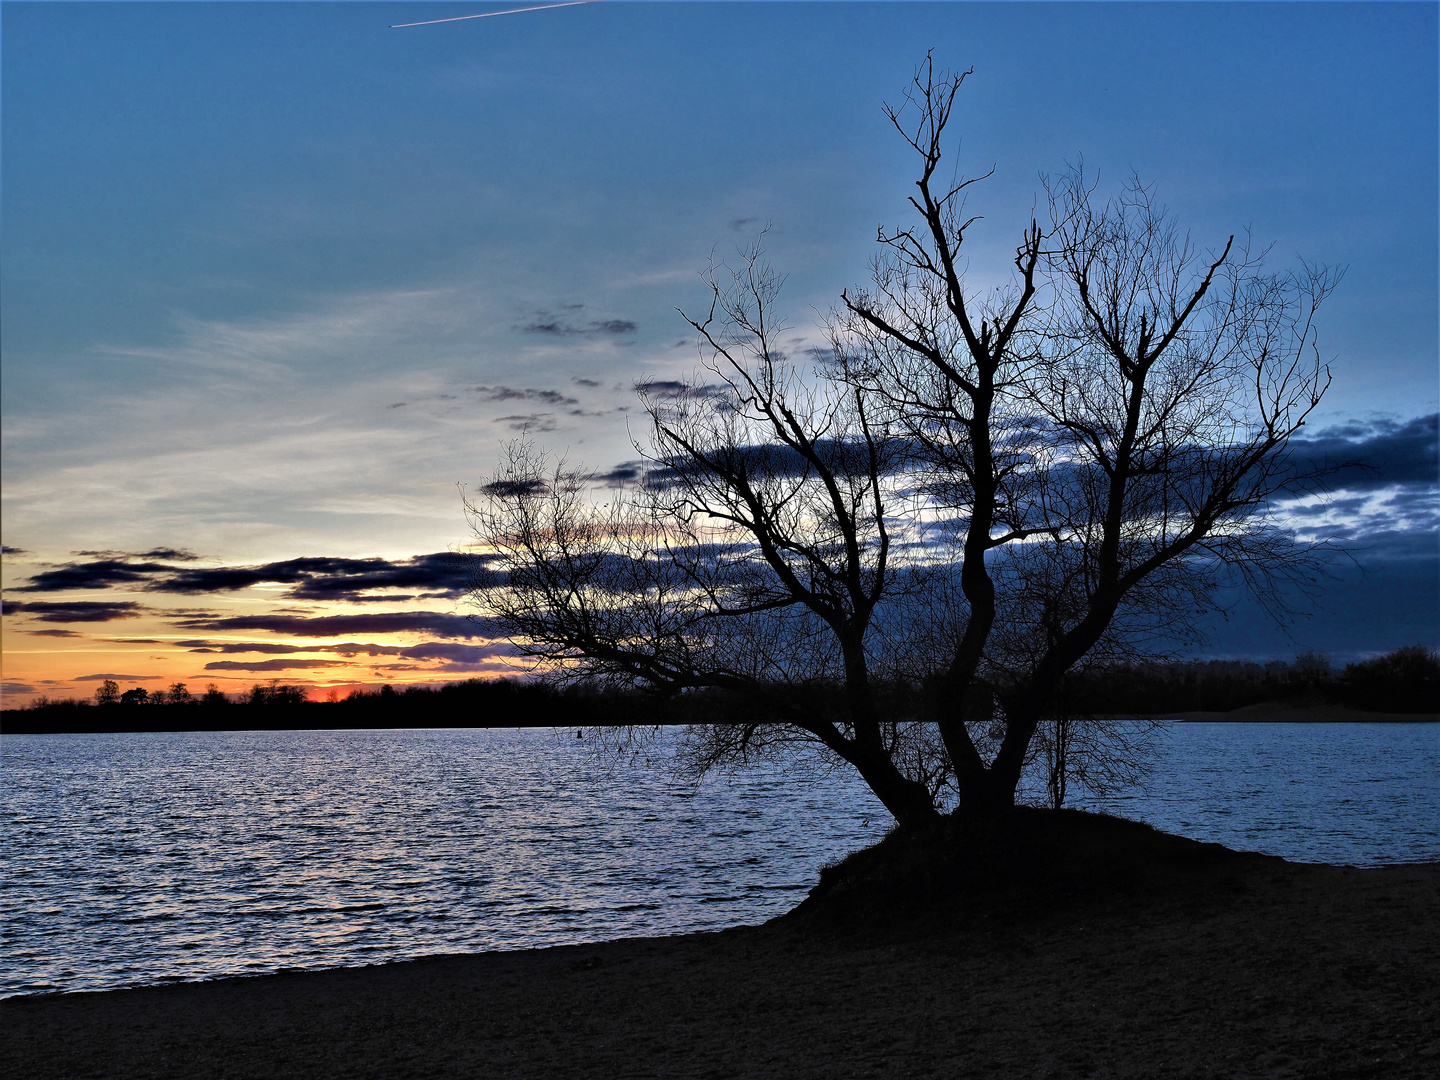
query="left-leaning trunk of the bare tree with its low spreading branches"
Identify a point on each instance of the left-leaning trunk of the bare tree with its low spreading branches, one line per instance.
(754, 561)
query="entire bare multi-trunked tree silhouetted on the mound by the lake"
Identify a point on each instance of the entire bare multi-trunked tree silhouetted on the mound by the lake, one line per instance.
(899, 554)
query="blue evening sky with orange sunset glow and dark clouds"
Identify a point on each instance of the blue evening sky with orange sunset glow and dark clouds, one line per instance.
(279, 279)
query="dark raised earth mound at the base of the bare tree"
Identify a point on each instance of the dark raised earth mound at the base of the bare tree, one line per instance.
(1027, 860)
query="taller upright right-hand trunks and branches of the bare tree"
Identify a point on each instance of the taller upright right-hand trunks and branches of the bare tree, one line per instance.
(1107, 433)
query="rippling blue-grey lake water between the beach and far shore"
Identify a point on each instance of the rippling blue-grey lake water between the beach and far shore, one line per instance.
(140, 859)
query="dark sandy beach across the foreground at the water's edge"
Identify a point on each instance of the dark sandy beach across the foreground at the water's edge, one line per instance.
(1210, 964)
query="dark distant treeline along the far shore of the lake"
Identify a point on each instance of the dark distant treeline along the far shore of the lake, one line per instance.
(1402, 682)
